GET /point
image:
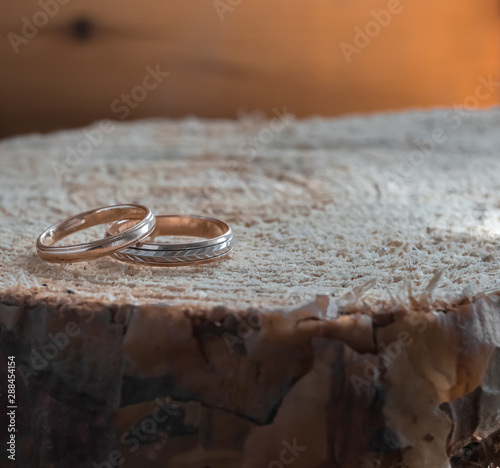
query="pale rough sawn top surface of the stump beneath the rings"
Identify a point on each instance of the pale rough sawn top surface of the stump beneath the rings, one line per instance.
(317, 206)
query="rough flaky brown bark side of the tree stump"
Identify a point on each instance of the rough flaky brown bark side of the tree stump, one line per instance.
(174, 387)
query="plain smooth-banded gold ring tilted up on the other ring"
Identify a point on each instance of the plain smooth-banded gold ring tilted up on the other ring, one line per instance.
(135, 232)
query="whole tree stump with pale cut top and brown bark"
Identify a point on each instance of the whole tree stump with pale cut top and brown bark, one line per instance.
(355, 324)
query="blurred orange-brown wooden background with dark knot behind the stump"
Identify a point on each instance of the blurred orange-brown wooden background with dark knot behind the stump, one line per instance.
(264, 54)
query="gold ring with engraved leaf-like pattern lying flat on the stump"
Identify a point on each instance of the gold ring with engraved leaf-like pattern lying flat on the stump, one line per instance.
(218, 234)
